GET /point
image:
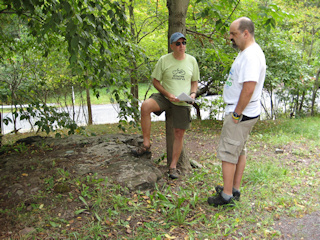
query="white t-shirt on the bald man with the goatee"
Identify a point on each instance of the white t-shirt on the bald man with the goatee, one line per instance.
(250, 65)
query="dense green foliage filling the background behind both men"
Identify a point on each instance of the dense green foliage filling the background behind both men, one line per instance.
(50, 47)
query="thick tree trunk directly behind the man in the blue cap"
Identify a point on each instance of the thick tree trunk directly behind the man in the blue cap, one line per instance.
(177, 23)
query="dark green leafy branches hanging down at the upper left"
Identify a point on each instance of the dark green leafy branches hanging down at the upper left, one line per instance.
(91, 29)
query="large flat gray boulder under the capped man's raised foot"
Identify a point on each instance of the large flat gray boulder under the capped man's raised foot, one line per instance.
(106, 156)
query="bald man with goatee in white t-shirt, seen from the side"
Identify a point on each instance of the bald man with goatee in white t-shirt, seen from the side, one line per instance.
(242, 93)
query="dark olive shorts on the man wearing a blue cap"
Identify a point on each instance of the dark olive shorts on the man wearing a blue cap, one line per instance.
(181, 114)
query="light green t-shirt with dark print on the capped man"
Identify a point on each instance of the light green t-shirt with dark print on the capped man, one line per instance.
(176, 75)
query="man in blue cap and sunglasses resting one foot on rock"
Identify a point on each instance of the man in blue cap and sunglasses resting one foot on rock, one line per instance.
(174, 73)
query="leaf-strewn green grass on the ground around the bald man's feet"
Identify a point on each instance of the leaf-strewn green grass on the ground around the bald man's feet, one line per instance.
(274, 186)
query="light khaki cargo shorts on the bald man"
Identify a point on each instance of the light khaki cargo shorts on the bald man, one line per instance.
(233, 139)
